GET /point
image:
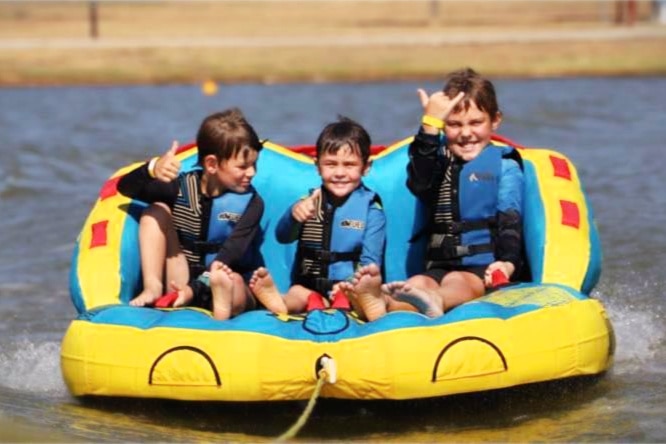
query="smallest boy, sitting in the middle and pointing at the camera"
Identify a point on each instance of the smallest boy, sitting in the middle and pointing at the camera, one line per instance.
(339, 226)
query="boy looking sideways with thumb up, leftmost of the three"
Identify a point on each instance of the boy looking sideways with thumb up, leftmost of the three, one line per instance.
(200, 226)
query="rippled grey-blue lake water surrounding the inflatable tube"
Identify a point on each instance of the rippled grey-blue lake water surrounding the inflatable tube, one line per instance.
(58, 145)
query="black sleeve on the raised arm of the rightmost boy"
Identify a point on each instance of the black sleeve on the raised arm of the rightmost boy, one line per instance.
(424, 170)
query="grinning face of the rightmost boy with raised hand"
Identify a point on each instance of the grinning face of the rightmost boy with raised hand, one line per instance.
(468, 131)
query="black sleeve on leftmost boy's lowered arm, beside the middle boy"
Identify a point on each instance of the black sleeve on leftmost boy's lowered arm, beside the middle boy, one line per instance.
(241, 238)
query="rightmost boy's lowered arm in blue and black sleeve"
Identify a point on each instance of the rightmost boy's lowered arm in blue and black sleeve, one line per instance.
(509, 214)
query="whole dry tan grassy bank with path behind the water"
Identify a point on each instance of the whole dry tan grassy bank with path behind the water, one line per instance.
(251, 41)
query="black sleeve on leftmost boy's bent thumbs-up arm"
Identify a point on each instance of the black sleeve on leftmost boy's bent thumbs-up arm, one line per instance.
(138, 184)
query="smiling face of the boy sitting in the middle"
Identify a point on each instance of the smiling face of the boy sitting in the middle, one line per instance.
(341, 173)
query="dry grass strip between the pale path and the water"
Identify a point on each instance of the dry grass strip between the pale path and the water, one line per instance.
(161, 66)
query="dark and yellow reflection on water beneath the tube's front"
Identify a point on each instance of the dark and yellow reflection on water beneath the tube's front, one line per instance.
(532, 413)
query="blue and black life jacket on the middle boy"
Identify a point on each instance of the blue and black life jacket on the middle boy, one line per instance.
(338, 253)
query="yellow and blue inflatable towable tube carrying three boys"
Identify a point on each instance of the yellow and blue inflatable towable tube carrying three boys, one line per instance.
(545, 329)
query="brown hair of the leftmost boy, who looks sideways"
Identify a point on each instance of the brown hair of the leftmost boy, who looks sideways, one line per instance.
(225, 134)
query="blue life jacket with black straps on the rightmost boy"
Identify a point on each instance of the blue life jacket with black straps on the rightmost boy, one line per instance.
(475, 211)
